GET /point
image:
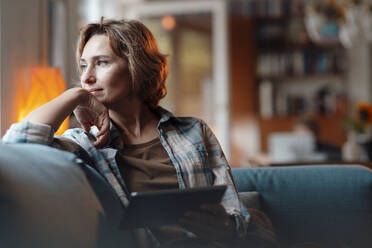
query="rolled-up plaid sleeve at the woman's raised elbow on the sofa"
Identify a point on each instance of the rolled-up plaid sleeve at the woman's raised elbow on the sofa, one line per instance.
(27, 132)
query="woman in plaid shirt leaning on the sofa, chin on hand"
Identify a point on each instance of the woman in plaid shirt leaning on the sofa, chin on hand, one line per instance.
(137, 145)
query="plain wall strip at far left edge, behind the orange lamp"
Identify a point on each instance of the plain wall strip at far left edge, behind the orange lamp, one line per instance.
(20, 39)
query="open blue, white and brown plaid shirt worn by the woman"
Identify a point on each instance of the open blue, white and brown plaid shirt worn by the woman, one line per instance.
(189, 142)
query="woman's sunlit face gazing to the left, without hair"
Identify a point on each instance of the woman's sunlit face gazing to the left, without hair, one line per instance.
(104, 74)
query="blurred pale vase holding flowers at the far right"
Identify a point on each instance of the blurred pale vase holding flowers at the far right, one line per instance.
(352, 150)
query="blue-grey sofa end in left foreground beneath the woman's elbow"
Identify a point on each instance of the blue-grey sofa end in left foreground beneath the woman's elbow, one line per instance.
(49, 199)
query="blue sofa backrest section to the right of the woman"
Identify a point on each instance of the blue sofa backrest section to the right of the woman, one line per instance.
(331, 205)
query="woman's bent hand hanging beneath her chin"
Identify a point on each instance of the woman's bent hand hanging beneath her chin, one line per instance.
(91, 112)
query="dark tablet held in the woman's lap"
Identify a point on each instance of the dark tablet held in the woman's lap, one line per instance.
(165, 207)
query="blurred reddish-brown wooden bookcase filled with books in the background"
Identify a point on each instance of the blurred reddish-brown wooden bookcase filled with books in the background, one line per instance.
(302, 76)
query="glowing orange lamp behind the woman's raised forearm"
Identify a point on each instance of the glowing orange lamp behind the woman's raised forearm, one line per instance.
(45, 84)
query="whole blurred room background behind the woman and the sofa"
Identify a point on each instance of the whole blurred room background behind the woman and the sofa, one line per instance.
(279, 81)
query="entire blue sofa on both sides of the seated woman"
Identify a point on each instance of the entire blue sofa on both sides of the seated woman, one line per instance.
(49, 198)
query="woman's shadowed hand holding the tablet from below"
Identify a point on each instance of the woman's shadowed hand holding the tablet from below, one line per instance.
(212, 222)
